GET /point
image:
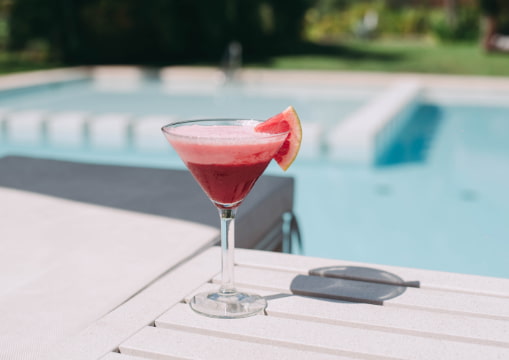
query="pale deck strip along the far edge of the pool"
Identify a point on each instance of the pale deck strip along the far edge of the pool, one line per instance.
(488, 84)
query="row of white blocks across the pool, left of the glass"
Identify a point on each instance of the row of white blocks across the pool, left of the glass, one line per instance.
(76, 129)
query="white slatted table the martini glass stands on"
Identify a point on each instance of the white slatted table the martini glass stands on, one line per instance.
(318, 309)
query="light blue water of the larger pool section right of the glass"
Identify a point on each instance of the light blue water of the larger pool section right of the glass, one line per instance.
(439, 199)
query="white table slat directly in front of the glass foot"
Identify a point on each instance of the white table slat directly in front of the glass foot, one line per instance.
(320, 337)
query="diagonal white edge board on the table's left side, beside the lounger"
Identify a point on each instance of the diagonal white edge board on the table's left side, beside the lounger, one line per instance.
(107, 333)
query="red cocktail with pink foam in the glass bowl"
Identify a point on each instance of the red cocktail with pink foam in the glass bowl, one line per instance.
(225, 160)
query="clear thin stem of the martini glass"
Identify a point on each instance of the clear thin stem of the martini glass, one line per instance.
(227, 249)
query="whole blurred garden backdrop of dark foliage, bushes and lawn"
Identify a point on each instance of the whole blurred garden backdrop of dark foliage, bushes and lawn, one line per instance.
(432, 36)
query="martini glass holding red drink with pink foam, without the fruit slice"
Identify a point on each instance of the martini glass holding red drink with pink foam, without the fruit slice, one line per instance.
(226, 157)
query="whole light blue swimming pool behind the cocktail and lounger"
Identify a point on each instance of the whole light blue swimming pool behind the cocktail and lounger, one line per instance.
(436, 197)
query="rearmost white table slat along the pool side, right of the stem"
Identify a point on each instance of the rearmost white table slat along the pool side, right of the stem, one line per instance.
(425, 278)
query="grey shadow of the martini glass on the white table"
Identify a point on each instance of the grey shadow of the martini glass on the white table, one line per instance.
(350, 283)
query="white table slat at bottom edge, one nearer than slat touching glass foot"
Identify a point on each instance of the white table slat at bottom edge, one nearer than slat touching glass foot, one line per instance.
(163, 344)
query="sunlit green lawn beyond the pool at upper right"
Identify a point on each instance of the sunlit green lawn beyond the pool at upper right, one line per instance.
(396, 56)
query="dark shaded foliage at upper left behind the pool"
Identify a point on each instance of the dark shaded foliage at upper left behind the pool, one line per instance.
(156, 31)
